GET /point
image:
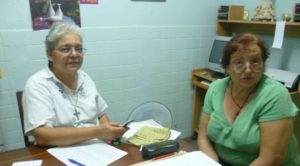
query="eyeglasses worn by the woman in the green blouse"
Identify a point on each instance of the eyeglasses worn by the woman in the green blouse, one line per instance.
(240, 65)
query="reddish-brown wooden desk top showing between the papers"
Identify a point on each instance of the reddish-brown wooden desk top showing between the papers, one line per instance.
(40, 153)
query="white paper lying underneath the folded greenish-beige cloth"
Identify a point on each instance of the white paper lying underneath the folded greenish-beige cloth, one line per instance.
(135, 126)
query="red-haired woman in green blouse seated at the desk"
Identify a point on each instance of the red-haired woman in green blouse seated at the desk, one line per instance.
(247, 117)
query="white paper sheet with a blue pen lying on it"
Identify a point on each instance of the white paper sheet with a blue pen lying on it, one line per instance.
(90, 153)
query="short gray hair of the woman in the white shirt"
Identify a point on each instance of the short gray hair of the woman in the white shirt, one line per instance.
(57, 30)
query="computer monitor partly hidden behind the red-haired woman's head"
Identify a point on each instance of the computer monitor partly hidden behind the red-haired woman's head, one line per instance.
(216, 53)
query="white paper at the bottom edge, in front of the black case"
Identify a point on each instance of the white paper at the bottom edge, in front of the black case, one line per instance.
(196, 158)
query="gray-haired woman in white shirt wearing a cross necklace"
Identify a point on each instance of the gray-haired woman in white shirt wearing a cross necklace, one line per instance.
(61, 103)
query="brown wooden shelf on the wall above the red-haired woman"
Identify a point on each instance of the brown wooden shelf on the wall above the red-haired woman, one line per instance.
(227, 27)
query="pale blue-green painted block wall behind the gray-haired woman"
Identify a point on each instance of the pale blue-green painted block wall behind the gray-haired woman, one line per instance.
(137, 52)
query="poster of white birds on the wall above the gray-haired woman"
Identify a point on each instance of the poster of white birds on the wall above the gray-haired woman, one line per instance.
(45, 12)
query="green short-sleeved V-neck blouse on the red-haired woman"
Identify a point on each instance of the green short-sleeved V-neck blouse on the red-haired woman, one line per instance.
(238, 144)
